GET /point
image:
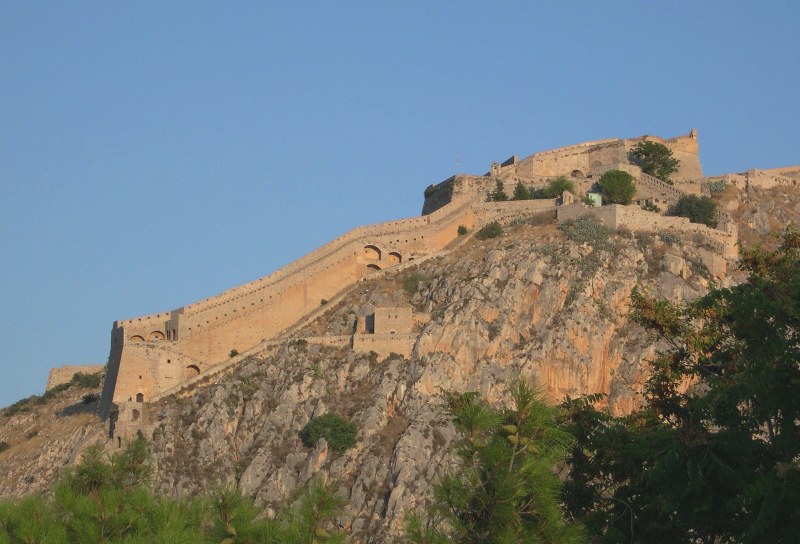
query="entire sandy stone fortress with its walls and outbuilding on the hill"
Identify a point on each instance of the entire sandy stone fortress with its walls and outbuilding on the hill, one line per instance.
(155, 355)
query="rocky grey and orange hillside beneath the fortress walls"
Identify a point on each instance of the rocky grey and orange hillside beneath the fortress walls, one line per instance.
(540, 301)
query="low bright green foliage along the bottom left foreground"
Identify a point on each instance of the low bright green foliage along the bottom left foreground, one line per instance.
(106, 499)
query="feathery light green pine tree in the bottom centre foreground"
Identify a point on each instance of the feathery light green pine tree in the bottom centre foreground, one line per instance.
(505, 489)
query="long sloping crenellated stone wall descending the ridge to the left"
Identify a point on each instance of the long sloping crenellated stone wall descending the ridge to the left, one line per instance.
(155, 353)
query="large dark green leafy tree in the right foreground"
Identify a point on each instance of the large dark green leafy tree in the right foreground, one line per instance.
(717, 462)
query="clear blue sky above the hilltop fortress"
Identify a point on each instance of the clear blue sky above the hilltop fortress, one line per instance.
(156, 153)
